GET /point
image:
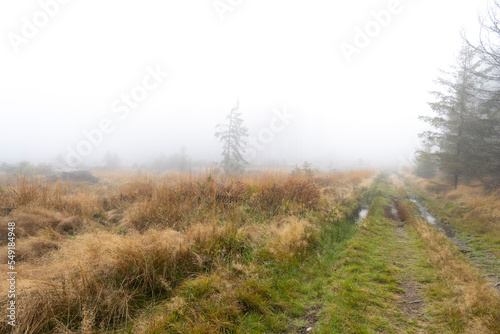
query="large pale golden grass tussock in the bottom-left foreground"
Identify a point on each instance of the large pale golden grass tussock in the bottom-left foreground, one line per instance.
(105, 273)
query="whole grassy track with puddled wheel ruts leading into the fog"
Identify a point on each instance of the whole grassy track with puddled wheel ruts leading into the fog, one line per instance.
(386, 260)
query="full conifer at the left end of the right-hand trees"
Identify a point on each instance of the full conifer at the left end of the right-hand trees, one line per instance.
(458, 106)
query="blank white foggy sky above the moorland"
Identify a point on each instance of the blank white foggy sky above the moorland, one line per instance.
(65, 78)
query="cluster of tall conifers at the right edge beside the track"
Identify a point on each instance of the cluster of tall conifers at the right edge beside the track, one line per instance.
(465, 143)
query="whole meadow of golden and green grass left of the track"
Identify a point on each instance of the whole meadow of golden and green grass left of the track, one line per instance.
(139, 252)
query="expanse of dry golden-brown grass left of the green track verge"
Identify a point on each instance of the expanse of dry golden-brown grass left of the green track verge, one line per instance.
(93, 255)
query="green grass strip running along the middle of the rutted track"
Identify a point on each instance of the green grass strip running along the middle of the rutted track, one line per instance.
(366, 285)
